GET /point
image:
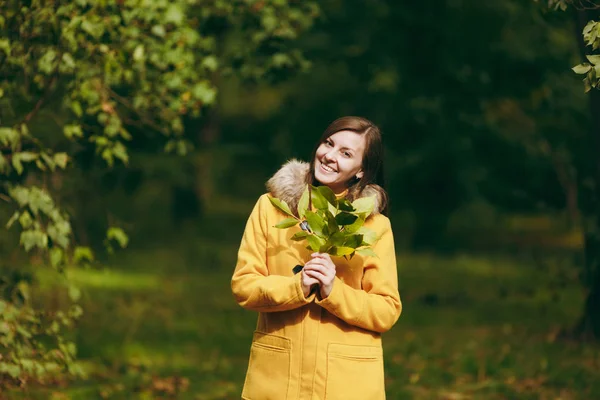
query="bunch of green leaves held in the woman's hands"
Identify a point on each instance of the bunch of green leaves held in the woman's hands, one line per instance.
(334, 227)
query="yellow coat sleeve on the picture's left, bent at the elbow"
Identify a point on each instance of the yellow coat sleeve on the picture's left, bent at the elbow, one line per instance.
(252, 285)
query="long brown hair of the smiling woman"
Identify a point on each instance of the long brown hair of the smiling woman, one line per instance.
(372, 163)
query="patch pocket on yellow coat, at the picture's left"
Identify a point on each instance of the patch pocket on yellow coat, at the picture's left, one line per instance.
(268, 375)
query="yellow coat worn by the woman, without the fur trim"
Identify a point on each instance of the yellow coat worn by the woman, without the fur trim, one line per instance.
(312, 348)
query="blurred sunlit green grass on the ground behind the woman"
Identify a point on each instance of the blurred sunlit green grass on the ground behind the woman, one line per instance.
(163, 324)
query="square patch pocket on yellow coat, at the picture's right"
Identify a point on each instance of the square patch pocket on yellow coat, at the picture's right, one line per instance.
(354, 372)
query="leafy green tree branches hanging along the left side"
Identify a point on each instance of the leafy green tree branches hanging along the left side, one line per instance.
(106, 71)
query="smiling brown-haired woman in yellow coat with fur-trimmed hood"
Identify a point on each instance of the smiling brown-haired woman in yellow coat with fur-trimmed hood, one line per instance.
(323, 344)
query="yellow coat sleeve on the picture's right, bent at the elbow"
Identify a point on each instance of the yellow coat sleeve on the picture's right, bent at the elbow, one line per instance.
(377, 305)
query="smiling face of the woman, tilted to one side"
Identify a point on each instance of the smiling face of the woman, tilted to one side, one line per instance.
(339, 159)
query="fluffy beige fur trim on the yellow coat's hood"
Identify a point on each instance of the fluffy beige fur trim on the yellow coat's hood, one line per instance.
(289, 182)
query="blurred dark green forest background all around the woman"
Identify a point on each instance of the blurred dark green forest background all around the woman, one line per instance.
(135, 137)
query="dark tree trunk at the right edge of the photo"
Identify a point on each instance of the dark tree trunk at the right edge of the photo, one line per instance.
(589, 324)
